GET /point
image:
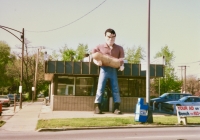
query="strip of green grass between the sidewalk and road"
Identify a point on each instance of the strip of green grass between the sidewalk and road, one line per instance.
(110, 122)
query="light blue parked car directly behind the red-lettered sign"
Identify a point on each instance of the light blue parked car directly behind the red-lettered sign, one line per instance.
(184, 101)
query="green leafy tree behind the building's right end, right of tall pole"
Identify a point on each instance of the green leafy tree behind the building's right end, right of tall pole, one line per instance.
(170, 82)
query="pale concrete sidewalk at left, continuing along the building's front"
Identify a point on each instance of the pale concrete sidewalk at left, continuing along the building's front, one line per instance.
(26, 118)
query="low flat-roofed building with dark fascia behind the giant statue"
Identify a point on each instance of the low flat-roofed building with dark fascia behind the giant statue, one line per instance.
(73, 85)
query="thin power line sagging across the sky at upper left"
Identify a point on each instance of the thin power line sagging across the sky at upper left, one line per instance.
(70, 22)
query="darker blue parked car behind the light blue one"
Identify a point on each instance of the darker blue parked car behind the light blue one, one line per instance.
(167, 97)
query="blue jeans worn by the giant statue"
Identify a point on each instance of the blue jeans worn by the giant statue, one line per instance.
(105, 74)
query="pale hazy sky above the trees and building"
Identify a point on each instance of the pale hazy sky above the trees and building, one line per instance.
(58, 23)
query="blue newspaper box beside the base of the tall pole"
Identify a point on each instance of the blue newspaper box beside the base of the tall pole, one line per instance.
(141, 112)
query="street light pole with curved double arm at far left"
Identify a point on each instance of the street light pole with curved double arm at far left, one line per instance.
(21, 40)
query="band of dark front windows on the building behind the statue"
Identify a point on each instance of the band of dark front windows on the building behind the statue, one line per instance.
(86, 86)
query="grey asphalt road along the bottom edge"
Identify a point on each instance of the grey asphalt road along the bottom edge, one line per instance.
(164, 133)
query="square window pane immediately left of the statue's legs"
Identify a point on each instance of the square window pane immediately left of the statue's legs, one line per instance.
(85, 86)
